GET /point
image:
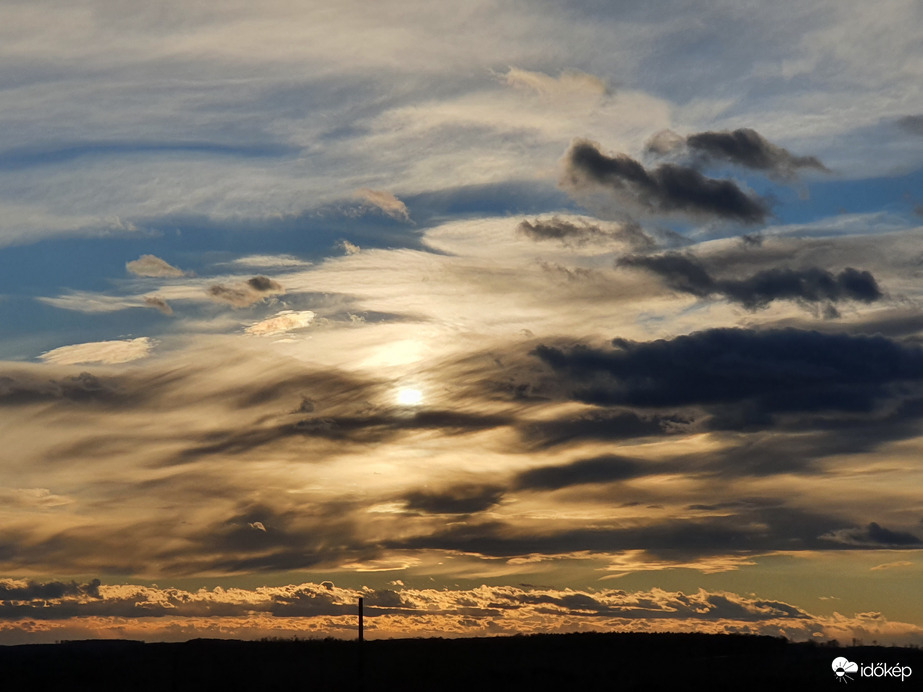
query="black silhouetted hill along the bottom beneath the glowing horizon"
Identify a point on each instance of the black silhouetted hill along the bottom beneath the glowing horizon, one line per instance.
(615, 661)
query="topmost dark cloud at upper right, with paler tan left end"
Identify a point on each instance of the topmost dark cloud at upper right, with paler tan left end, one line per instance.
(744, 147)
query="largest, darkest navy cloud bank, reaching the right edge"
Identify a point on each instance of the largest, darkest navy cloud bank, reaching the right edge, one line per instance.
(771, 371)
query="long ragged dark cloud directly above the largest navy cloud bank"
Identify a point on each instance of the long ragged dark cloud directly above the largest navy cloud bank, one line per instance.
(682, 272)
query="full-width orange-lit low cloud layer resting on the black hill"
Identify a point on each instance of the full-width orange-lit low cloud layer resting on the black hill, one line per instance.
(153, 613)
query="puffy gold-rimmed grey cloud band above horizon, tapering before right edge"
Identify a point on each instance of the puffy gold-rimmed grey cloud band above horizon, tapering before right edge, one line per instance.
(545, 607)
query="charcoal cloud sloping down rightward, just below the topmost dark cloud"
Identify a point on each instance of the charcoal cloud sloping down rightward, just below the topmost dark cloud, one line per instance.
(665, 189)
